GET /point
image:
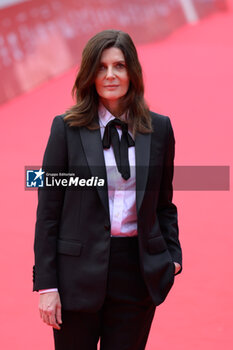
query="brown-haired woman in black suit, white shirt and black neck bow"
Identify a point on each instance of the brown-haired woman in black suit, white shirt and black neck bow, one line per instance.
(105, 257)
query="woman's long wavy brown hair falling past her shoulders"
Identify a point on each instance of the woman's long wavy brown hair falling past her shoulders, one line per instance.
(84, 112)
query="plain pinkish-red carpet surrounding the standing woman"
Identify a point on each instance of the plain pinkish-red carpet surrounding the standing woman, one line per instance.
(188, 77)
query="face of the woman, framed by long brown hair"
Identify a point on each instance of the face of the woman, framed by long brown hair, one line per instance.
(112, 81)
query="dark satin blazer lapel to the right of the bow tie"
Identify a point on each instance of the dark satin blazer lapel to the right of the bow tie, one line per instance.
(142, 150)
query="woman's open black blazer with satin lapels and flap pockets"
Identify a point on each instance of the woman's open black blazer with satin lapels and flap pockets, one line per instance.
(72, 238)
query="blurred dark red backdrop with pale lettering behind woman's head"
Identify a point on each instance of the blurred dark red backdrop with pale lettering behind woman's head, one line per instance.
(42, 38)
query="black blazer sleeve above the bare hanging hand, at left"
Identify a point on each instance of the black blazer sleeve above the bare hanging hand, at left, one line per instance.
(50, 202)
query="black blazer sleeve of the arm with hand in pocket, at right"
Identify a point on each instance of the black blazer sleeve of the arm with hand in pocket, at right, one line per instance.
(166, 210)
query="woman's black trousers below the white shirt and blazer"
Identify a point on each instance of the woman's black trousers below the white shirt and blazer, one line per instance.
(124, 321)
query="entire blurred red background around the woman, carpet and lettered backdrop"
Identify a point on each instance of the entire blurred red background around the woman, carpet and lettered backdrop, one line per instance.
(186, 51)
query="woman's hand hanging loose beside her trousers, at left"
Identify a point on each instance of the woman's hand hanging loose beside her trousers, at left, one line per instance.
(50, 309)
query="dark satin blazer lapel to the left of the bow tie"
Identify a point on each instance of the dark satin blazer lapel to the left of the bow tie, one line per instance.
(93, 149)
